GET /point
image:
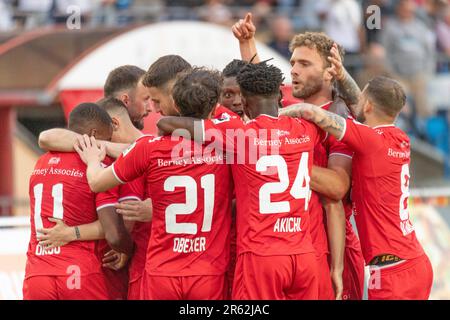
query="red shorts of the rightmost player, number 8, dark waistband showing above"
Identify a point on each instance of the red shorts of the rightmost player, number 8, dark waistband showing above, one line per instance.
(404, 280)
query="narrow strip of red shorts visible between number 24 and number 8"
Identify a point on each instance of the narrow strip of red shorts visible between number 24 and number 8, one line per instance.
(353, 275)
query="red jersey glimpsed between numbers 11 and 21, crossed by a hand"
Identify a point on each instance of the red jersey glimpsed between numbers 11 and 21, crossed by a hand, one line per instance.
(135, 190)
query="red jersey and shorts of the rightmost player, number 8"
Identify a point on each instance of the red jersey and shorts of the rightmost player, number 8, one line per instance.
(380, 191)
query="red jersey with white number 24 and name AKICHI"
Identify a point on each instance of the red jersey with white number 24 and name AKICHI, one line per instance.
(271, 183)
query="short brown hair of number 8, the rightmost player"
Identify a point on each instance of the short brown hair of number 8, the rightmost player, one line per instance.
(387, 95)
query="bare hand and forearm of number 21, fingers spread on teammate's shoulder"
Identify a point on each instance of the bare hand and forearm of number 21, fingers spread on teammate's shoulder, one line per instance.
(100, 179)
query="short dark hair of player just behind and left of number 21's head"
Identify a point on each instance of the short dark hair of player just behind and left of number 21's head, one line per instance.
(164, 70)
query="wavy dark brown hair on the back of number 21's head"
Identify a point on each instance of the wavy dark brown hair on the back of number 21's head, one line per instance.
(197, 91)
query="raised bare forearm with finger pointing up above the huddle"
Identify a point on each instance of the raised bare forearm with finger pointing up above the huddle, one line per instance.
(244, 30)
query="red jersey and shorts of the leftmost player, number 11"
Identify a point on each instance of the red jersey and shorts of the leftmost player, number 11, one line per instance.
(58, 188)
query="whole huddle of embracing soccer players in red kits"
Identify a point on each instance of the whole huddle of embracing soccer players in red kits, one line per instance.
(245, 194)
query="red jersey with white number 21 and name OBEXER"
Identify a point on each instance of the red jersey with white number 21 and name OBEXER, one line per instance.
(191, 194)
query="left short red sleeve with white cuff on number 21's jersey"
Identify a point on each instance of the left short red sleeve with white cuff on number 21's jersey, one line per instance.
(134, 161)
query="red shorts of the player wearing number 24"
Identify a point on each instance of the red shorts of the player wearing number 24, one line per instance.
(292, 277)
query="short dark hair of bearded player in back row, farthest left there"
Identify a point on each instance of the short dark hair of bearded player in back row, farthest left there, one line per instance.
(122, 78)
